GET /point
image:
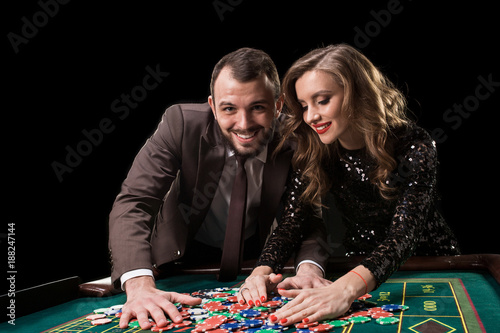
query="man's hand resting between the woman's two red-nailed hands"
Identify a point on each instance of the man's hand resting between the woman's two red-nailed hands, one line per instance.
(308, 276)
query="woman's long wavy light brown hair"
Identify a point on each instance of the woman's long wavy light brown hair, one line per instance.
(372, 104)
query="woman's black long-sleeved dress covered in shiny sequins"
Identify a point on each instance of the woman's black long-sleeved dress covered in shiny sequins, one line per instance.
(388, 232)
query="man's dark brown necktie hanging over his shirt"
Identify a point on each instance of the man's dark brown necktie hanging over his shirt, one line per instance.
(233, 241)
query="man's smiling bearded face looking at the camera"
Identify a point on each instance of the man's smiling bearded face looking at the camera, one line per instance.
(246, 112)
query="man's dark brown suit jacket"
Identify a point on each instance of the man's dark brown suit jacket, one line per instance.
(170, 186)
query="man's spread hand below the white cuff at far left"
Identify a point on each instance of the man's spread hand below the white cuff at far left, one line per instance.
(144, 301)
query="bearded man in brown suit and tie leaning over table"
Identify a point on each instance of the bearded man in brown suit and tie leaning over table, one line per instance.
(174, 204)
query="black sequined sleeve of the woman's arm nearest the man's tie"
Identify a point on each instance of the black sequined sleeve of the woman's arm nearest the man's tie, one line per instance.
(287, 237)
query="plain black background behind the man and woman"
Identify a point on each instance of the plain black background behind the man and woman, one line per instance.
(85, 55)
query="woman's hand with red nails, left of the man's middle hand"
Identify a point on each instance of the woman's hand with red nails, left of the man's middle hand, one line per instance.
(256, 287)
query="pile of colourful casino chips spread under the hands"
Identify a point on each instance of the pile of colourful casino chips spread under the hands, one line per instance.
(220, 312)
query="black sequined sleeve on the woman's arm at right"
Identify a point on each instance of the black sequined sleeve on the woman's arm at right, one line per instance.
(415, 180)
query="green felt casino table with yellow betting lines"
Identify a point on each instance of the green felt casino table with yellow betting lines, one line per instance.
(444, 294)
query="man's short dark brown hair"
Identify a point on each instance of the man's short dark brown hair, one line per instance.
(247, 64)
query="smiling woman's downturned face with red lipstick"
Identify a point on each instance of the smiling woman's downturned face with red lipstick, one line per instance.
(321, 98)
